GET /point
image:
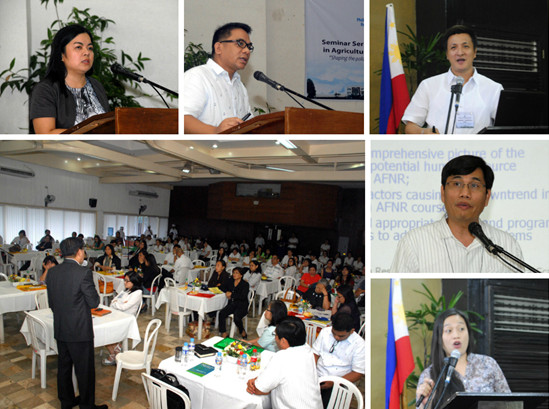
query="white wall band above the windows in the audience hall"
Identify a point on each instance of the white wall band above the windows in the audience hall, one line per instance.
(72, 191)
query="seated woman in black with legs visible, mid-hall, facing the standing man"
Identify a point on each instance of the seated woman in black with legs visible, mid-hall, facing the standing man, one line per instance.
(237, 293)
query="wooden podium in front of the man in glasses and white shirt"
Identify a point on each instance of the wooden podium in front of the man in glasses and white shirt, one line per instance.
(302, 121)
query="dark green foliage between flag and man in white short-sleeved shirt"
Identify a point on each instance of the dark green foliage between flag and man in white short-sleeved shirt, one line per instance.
(421, 56)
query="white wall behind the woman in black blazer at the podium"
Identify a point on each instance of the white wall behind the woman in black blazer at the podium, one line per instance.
(141, 26)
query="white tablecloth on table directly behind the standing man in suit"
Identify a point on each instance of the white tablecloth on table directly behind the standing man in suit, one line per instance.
(109, 329)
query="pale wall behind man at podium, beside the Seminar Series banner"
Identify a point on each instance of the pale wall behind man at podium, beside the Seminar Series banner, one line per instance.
(278, 34)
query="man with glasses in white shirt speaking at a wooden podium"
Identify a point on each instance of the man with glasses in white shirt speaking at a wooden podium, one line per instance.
(214, 97)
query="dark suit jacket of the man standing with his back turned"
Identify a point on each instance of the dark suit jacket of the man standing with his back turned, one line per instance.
(71, 295)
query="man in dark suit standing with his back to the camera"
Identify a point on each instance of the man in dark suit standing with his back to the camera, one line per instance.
(71, 295)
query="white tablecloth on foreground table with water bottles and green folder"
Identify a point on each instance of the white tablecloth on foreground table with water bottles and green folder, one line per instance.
(214, 392)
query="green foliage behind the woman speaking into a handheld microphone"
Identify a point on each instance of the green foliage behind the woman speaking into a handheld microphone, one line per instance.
(421, 322)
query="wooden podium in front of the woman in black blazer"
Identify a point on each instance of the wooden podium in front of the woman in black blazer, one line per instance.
(130, 121)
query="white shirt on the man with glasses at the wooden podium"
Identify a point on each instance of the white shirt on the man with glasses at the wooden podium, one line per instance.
(211, 96)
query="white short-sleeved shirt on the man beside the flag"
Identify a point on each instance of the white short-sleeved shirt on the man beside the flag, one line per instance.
(479, 101)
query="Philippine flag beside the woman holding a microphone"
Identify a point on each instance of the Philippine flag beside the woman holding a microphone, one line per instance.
(400, 361)
